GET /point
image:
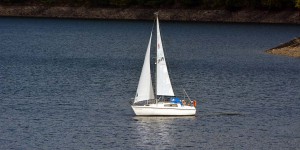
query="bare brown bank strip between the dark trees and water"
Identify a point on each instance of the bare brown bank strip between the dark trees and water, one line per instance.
(242, 16)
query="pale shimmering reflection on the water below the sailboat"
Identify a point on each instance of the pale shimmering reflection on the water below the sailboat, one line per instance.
(157, 132)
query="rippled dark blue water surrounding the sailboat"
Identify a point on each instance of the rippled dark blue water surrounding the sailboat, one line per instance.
(65, 84)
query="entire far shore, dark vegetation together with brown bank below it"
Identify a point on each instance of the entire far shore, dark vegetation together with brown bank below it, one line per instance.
(254, 11)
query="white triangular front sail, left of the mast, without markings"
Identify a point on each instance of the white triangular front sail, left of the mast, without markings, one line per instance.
(145, 89)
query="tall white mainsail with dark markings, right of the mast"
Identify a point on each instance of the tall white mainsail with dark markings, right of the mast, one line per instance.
(163, 83)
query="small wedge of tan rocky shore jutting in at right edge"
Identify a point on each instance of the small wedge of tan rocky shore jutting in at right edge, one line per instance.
(291, 48)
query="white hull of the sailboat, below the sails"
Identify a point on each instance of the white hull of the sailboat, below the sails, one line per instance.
(161, 110)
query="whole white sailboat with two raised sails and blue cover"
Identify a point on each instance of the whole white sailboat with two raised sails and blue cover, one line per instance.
(163, 101)
